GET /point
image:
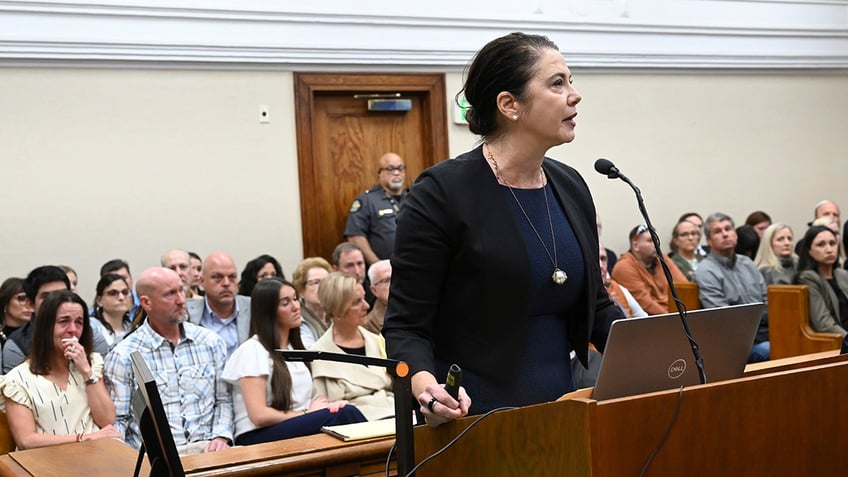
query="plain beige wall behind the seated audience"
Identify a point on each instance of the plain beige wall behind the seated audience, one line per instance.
(129, 163)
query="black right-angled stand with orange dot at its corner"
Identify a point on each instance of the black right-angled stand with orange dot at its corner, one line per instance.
(402, 388)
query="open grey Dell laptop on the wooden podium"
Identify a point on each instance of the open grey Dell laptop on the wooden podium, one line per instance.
(653, 354)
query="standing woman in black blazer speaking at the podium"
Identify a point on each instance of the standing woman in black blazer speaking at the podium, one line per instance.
(495, 265)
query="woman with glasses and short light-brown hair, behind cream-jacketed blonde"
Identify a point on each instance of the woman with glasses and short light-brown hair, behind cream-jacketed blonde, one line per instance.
(306, 279)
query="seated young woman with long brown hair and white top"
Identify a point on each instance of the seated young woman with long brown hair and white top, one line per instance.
(273, 398)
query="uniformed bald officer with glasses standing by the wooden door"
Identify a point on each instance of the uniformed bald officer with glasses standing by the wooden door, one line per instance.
(371, 221)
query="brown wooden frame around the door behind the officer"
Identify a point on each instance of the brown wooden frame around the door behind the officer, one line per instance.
(308, 85)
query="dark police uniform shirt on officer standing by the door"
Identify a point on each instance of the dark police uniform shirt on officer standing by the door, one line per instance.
(372, 215)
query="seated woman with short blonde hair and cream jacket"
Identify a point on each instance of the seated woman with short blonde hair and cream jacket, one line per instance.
(369, 388)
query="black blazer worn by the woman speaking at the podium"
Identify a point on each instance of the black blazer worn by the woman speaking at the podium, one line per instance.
(460, 274)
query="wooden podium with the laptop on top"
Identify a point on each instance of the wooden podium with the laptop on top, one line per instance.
(788, 422)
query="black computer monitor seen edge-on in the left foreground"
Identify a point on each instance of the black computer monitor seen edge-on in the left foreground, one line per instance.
(158, 442)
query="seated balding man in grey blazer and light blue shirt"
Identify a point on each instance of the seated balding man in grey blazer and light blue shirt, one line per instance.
(222, 310)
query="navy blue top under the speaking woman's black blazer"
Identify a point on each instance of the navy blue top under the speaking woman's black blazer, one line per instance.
(543, 356)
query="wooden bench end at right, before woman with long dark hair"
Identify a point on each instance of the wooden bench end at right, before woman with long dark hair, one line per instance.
(790, 331)
